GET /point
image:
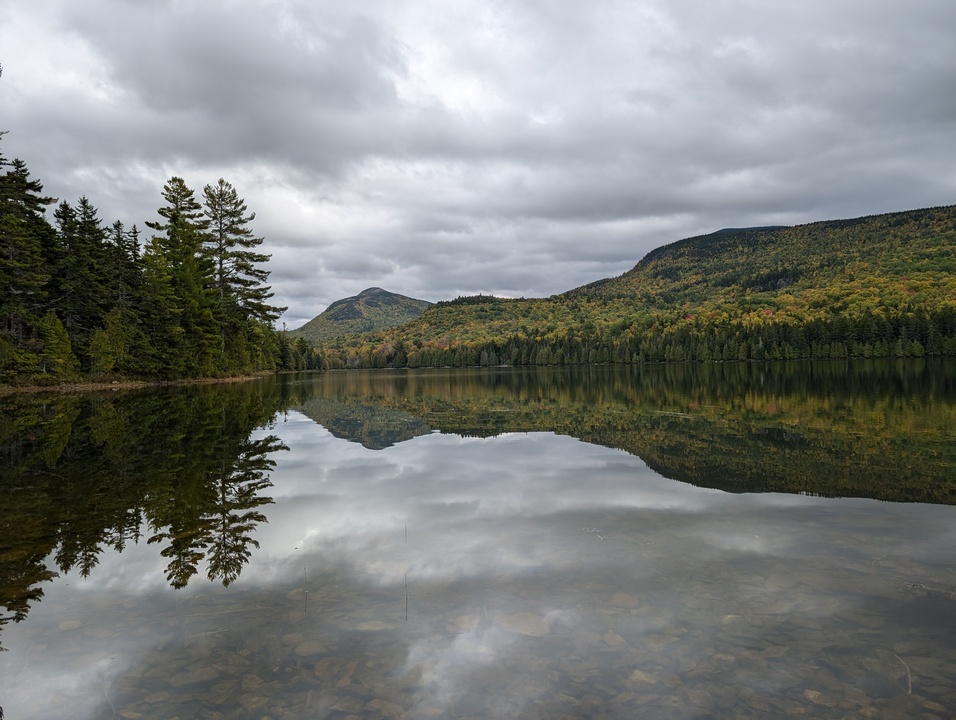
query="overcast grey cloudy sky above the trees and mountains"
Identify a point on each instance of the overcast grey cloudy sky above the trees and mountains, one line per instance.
(520, 148)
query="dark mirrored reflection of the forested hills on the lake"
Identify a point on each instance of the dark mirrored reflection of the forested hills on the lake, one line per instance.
(875, 429)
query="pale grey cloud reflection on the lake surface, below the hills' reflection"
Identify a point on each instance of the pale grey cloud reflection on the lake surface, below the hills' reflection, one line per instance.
(539, 570)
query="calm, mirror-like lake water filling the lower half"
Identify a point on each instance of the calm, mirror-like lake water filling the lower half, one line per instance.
(605, 542)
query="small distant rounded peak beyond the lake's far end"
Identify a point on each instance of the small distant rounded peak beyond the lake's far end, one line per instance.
(371, 310)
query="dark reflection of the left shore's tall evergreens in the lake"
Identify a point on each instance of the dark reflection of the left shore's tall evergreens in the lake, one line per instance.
(85, 473)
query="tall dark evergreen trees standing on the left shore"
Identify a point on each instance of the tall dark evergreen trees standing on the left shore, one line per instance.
(80, 299)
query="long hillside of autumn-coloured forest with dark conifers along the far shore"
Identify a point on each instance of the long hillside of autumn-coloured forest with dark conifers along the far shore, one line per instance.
(878, 286)
